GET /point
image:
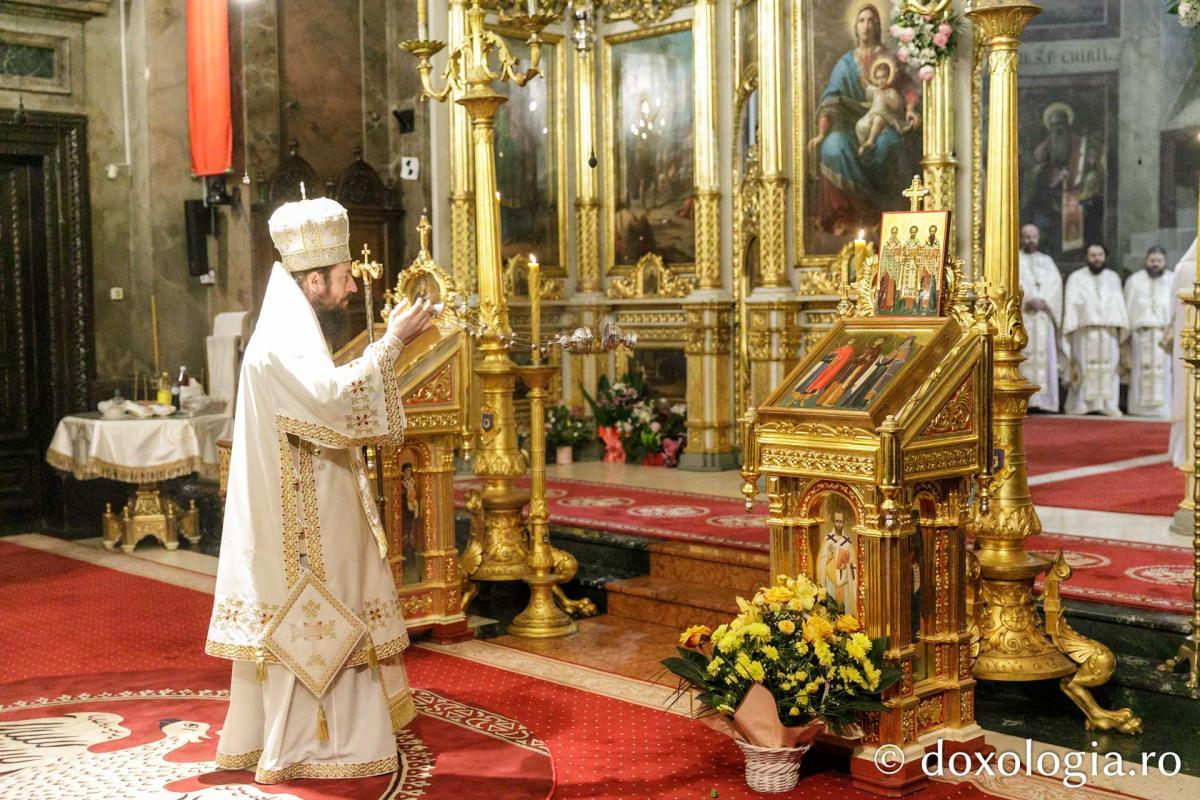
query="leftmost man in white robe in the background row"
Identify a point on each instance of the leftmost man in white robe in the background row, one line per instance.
(1042, 285)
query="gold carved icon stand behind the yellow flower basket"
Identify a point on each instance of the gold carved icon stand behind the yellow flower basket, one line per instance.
(895, 478)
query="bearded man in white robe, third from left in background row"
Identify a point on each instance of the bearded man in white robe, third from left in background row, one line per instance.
(1149, 305)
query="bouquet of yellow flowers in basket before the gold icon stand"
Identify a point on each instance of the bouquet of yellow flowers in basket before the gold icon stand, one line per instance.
(791, 640)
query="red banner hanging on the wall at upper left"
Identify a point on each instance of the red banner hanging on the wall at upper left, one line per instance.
(208, 87)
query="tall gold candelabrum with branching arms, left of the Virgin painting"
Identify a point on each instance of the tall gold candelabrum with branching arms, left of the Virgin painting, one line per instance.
(470, 75)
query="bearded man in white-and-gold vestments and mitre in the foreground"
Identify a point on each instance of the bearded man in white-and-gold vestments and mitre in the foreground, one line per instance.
(301, 509)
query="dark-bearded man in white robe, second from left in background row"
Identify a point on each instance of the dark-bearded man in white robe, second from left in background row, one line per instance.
(1094, 326)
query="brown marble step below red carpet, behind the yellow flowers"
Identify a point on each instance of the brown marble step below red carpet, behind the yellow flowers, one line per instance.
(673, 603)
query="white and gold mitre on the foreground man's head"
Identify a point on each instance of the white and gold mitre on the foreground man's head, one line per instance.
(311, 234)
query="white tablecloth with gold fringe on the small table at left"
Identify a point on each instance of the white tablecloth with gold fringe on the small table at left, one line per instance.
(139, 452)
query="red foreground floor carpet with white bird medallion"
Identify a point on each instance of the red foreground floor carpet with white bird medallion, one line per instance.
(153, 741)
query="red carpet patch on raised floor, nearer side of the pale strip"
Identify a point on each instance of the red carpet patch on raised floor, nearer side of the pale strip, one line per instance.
(1155, 490)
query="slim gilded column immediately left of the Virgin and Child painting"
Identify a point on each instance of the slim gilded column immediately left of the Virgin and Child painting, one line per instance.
(773, 184)
